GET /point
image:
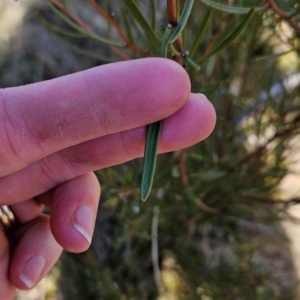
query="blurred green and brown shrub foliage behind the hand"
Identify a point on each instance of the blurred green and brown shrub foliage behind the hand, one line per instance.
(211, 227)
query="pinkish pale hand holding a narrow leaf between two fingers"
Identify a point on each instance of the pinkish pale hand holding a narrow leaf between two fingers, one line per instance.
(53, 136)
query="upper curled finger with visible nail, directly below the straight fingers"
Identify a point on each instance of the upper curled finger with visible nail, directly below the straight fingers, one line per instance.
(74, 207)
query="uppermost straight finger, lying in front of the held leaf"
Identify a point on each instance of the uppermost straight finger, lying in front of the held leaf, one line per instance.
(40, 119)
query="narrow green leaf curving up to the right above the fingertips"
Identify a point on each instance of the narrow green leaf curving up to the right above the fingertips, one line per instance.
(232, 37)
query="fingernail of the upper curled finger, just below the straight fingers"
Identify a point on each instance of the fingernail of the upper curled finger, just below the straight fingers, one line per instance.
(84, 221)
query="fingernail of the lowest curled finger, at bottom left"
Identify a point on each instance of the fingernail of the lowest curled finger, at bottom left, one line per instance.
(32, 271)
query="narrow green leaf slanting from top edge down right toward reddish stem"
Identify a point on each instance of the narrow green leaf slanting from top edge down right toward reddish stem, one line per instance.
(138, 16)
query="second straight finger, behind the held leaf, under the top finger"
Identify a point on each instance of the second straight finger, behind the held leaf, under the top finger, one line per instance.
(191, 124)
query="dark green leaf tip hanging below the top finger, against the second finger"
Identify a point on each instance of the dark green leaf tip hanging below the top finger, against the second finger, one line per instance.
(150, 155)
